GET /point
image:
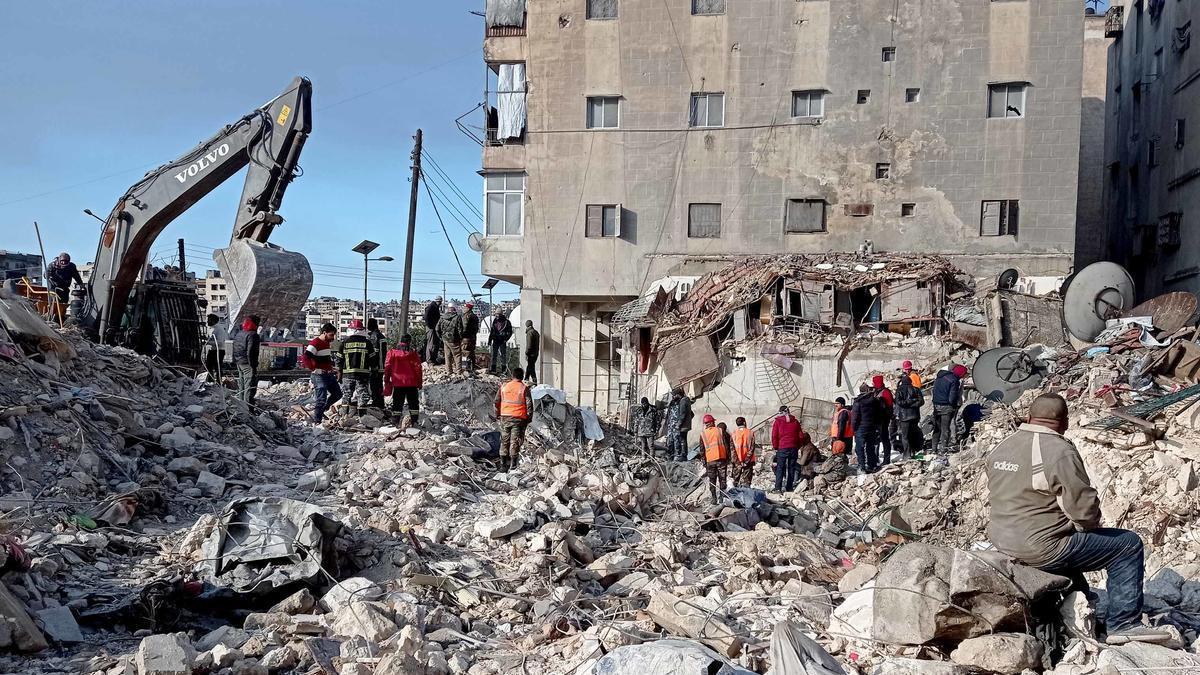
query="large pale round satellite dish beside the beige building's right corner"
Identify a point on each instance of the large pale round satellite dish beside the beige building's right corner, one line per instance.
(1097, 294)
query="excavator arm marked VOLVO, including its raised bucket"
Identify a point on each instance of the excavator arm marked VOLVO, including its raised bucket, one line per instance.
(262, 278)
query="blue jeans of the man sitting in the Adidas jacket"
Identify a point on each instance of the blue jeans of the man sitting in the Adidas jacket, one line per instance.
(1117, 552)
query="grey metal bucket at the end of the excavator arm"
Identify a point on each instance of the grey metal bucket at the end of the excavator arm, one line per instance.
(265, 280)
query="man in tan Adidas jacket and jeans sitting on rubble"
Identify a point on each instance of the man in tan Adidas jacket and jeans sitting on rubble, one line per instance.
(1046, 515)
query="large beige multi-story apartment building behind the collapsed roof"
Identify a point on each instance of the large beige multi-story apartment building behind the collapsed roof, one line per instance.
(629, 141)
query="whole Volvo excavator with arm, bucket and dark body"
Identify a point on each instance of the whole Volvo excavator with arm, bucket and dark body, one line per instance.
(125, 306)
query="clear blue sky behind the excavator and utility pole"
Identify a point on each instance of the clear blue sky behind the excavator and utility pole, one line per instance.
(97, 94)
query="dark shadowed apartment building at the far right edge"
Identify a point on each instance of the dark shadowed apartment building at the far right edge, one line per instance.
(1153, 153)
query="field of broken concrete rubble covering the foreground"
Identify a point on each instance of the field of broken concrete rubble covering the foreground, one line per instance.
(155, 525)
